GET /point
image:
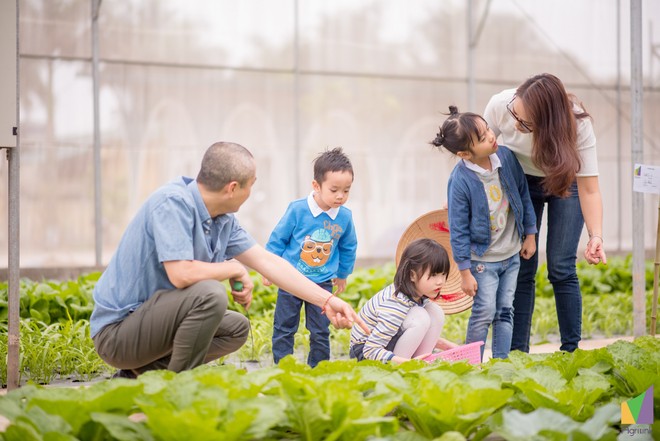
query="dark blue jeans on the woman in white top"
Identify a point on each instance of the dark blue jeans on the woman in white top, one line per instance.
(565, 224)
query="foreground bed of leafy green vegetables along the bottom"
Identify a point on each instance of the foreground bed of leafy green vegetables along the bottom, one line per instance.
(546, 397)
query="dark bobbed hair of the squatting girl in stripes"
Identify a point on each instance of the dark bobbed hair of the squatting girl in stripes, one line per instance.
(420, 255)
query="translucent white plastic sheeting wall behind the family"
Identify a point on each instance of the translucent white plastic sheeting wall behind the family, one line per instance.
(370, 76)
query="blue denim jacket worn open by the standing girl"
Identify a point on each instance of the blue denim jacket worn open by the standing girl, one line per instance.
(469, 215)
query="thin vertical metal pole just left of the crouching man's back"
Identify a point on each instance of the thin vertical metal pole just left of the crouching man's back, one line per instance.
(98, 229)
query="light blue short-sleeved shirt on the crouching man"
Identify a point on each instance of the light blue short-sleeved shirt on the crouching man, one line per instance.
(173, 224)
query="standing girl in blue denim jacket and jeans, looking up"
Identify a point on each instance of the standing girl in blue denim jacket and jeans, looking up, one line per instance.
(491, 222)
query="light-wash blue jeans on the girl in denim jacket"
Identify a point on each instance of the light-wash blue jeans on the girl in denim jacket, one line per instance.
(493, 304)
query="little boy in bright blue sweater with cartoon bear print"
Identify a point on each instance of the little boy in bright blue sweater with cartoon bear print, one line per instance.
(317, 236)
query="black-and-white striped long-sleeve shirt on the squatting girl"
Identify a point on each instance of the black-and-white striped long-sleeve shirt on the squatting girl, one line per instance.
(384, 314)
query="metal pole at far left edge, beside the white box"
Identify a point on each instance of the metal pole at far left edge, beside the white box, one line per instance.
(13, 300)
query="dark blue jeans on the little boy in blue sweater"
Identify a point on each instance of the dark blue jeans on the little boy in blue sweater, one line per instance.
(285, 326)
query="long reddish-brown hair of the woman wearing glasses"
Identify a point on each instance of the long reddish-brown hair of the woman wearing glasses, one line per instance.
(554, 138)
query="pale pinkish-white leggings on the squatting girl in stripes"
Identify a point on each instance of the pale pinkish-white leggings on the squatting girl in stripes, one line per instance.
(421, 330)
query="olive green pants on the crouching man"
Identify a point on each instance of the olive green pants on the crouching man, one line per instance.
(175, 329)
